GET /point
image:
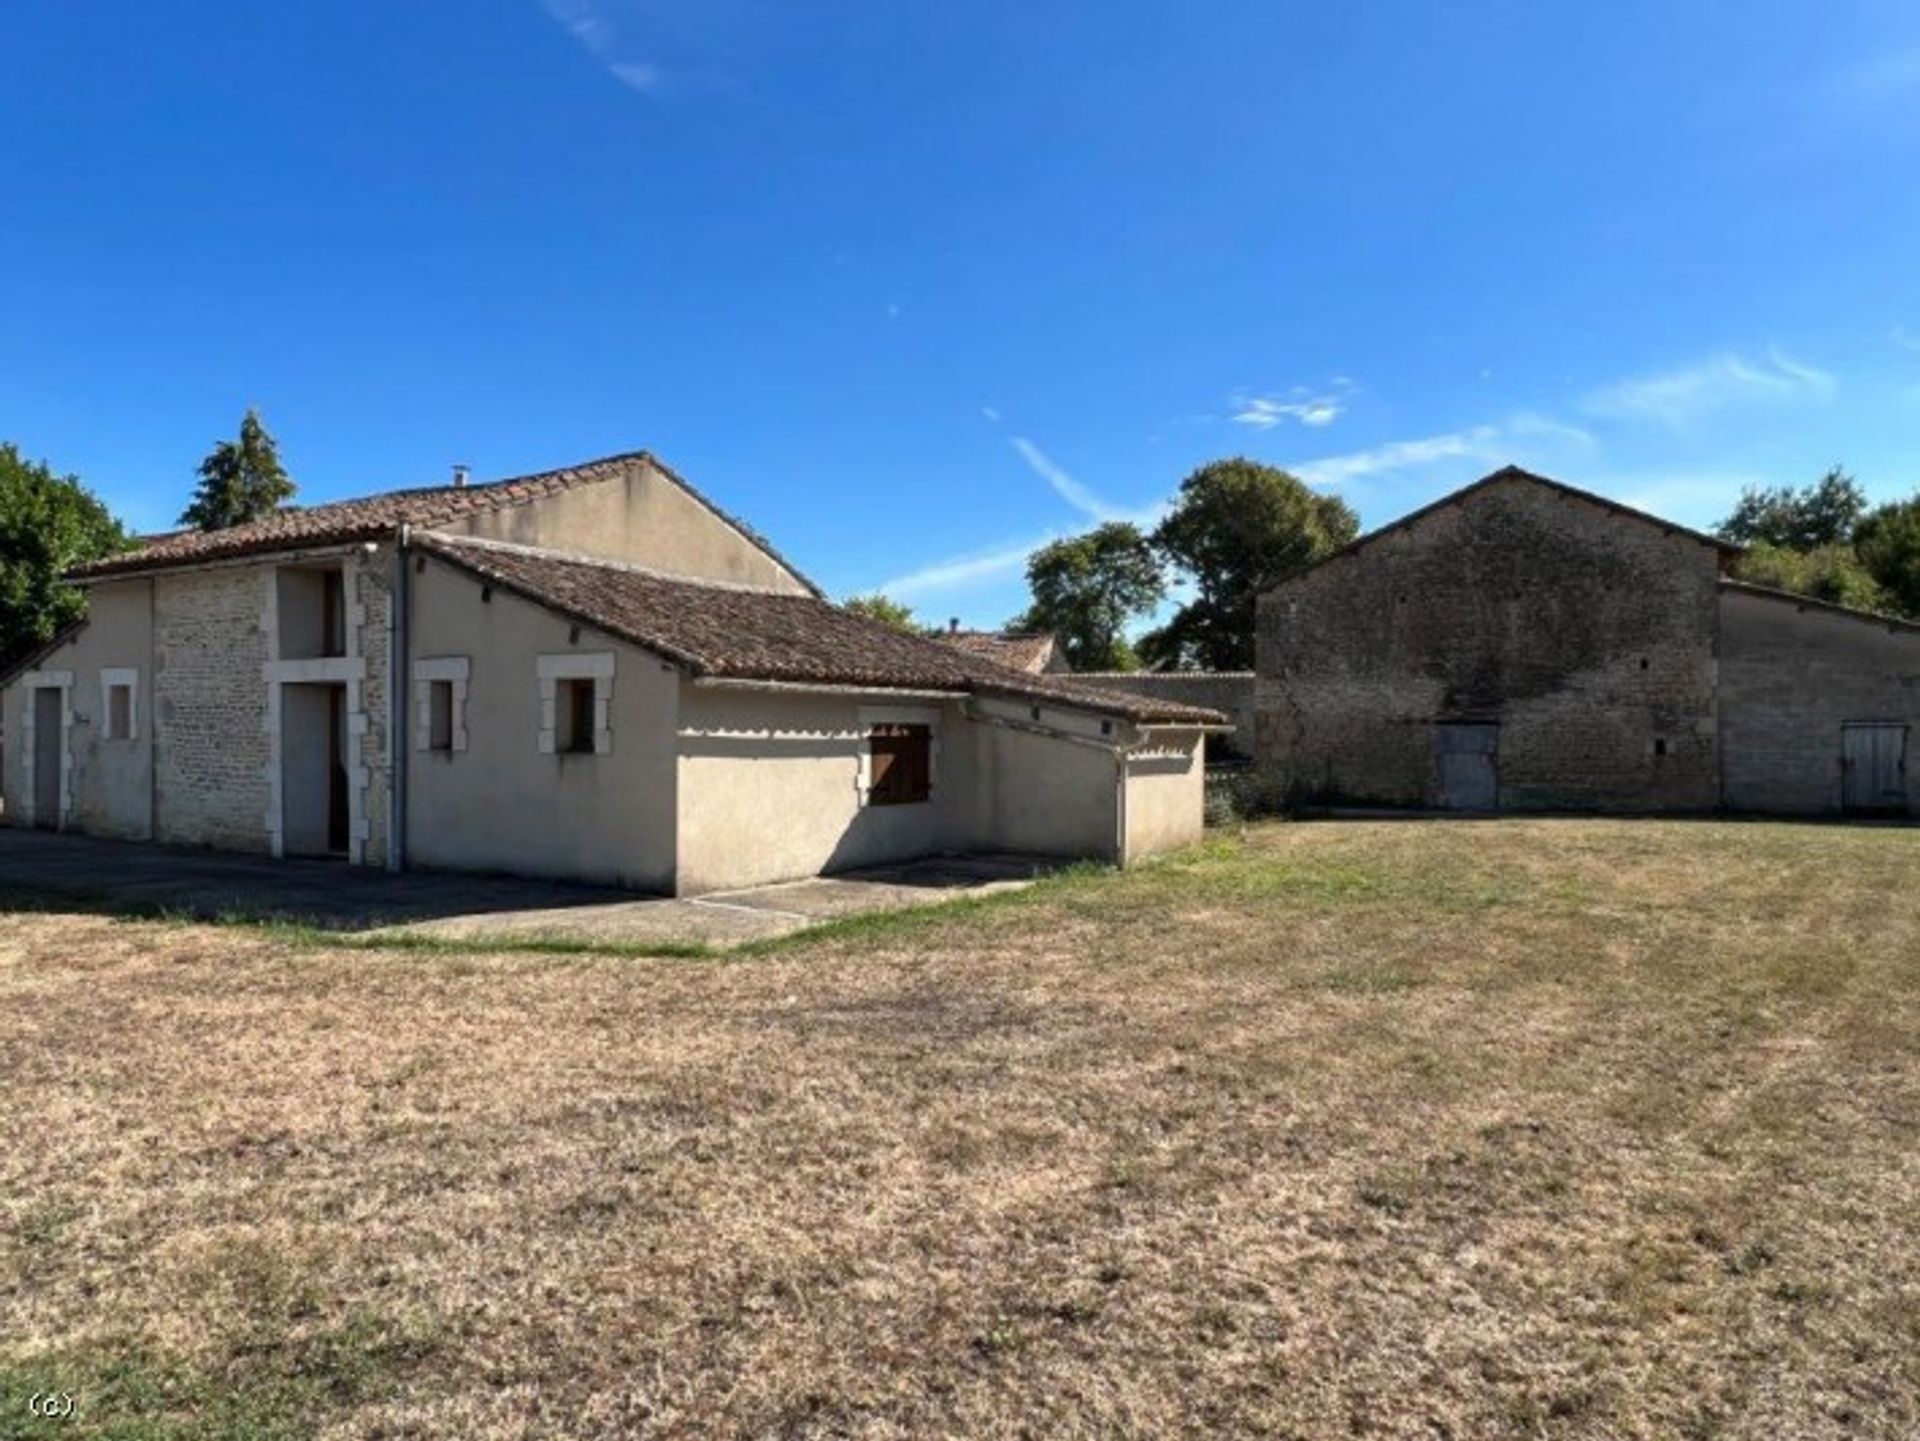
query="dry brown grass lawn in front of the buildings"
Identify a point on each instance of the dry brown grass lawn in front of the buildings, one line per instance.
(1395, 1129)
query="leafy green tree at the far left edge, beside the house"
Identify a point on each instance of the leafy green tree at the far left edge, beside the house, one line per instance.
(47, 525)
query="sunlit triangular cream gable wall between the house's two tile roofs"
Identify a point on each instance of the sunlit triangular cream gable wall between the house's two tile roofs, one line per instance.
(644, 519)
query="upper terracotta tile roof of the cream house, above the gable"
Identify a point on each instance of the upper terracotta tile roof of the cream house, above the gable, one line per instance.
(377, 517)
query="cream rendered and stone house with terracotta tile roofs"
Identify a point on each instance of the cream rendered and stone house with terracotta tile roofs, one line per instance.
(588, 674)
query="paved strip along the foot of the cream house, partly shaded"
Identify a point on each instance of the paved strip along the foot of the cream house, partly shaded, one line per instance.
(364, 901)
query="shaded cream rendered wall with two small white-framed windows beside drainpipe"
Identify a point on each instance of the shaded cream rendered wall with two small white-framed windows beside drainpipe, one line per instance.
(506, 807)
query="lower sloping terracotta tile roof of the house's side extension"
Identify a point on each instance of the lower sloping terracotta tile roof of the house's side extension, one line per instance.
(763, 636)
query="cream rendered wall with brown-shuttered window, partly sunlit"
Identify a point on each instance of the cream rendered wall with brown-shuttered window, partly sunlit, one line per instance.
(771, 788)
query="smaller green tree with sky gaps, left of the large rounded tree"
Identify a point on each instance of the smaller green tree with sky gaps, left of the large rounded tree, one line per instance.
(1088, 588)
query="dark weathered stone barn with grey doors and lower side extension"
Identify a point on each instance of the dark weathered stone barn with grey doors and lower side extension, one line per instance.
(1527, 646)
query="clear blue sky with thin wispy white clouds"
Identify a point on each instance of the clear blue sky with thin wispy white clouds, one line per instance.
(919, 285)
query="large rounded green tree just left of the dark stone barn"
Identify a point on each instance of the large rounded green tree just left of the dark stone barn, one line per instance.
(1236, 531)
